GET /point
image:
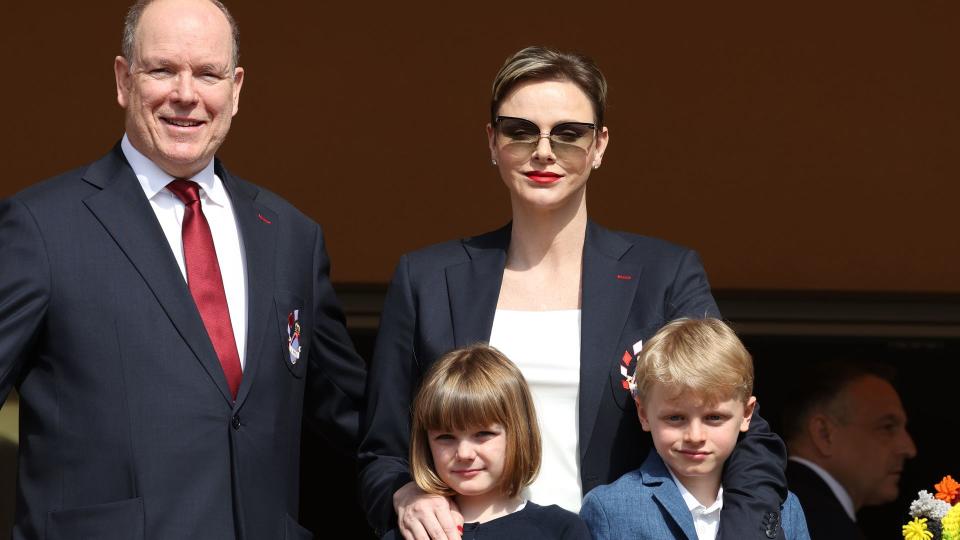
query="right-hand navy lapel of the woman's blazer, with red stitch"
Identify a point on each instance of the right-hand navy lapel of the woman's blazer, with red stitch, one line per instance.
(608, 288)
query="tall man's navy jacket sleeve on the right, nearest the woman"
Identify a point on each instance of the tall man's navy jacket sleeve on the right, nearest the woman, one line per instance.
(334, 395)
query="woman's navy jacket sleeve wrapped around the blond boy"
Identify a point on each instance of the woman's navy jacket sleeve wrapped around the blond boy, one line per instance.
(753, 479)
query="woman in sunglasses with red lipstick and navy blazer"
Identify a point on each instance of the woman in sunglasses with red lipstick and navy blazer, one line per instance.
(567, 300)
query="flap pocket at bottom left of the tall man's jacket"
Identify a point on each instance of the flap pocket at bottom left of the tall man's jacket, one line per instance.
(120, 520)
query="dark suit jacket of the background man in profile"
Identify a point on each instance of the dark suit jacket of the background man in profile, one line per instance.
(825, 515)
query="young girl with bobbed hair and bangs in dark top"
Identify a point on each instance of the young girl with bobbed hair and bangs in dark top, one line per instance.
(475, 438)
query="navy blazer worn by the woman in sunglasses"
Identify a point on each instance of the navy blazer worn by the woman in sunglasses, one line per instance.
(445, 296)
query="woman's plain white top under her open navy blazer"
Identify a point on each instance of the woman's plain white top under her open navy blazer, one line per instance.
(545, 345)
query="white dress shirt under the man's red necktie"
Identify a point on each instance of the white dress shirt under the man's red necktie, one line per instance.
(218, 210)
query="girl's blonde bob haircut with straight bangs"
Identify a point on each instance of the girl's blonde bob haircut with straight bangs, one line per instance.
(470, 387)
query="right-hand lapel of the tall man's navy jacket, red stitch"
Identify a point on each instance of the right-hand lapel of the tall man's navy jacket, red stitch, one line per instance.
(257, 225)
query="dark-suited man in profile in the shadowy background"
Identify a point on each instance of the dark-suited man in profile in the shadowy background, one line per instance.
(846, 432)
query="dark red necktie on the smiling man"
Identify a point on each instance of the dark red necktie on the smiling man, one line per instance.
(204, 281)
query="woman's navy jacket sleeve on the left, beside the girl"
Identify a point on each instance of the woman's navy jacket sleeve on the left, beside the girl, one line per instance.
(394, 375)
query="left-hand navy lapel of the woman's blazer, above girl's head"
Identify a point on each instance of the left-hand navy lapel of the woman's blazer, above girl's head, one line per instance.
(474, 286)
